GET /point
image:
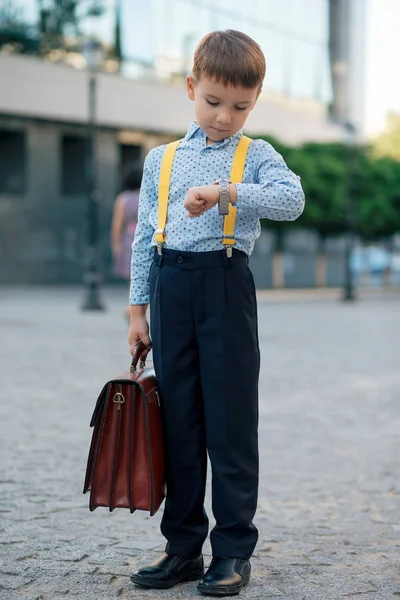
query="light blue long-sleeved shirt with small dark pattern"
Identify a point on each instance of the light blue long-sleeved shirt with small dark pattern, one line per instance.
(269, 190)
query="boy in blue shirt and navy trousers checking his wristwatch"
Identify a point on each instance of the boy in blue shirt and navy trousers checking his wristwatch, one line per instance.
(204, 315)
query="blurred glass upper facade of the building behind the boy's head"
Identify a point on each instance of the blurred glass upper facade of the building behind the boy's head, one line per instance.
(157, 38)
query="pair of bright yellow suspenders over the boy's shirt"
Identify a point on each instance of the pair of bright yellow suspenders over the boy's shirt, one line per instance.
(239, 161)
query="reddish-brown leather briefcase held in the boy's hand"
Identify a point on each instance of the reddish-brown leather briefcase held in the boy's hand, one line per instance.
(125, 467)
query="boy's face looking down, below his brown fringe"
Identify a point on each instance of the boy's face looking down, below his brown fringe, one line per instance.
(221, 110)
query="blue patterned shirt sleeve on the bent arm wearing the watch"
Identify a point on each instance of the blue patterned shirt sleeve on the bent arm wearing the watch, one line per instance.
(277, 193)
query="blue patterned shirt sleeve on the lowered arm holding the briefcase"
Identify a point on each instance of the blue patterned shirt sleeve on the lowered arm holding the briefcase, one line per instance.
(142, 252)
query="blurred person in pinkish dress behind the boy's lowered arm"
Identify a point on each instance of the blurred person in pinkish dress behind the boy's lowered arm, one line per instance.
(124, 221)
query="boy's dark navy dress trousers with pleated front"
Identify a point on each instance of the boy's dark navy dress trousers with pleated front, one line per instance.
(203, 321)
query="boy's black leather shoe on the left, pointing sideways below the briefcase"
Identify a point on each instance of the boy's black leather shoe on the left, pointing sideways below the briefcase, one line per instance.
(169, 570)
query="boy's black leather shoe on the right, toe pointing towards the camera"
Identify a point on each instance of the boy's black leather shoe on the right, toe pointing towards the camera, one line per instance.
(225, 577)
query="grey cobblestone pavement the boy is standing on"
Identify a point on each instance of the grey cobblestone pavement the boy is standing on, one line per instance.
(329, 506)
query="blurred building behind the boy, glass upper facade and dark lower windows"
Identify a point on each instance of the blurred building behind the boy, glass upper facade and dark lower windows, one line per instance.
(140, 103)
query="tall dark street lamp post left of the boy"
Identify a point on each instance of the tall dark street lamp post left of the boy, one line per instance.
(93, 54)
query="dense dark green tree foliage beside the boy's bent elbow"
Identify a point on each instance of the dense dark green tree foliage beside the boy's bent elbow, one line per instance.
(329, 174)
